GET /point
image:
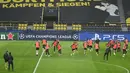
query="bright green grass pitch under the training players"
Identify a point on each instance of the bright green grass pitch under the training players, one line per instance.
(25, 59)
